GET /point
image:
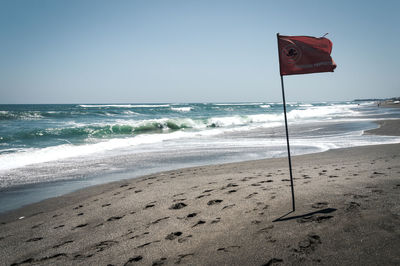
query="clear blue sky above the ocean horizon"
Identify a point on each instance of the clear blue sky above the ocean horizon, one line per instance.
(54, 51)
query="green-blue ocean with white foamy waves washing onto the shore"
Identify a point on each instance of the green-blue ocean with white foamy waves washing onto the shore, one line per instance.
(52, 149)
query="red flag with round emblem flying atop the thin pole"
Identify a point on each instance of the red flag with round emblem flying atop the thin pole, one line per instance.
(304, 54)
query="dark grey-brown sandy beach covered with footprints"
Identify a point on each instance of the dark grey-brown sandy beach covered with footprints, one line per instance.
(347, 213)
